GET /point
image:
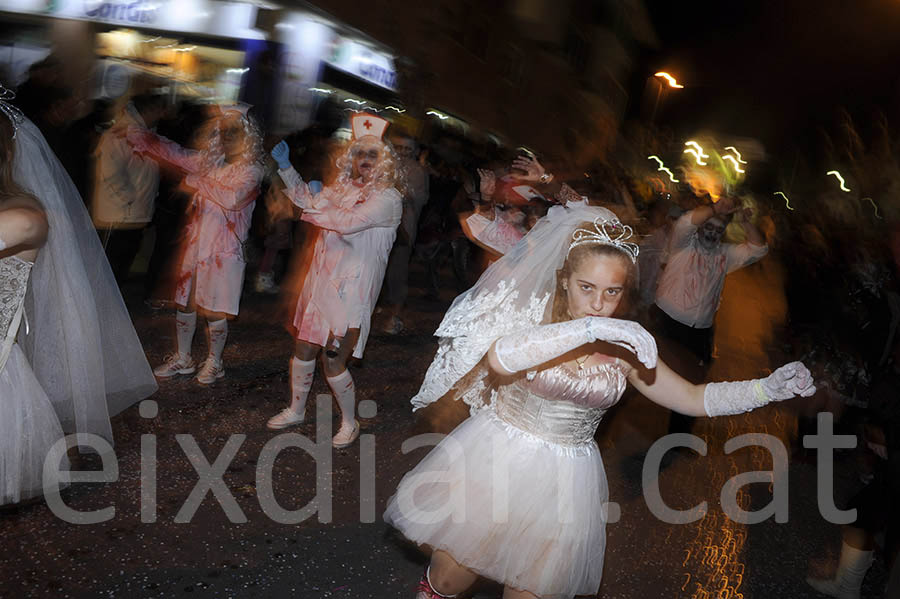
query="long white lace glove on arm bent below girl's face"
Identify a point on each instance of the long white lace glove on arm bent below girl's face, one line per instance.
(524, 350)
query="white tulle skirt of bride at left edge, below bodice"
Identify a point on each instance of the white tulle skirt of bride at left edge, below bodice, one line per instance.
(28, 428)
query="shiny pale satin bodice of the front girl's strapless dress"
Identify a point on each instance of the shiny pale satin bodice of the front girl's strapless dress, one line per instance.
(561, 406)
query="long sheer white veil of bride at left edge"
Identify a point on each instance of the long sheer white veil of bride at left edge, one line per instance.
(82, 344)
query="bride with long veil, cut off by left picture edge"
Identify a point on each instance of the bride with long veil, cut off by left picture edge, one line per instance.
(69, 339)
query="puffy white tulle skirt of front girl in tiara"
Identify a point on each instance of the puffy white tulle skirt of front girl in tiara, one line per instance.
(512, 507)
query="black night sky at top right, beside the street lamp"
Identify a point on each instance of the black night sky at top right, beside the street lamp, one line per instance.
(777, 70)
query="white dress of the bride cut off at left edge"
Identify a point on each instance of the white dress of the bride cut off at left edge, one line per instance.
(28, 423)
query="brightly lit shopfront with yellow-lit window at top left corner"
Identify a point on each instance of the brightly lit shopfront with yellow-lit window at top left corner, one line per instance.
(198, 48)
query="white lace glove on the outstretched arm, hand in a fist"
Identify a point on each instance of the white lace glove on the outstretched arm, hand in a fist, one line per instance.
(723, 399)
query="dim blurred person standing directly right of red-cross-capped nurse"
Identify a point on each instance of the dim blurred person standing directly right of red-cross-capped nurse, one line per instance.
(396, 279)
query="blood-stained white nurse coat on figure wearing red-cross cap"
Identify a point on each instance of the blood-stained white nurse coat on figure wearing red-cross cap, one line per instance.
(357, 229)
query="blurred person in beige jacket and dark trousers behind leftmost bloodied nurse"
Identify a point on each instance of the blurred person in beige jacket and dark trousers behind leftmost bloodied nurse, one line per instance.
(126, 185)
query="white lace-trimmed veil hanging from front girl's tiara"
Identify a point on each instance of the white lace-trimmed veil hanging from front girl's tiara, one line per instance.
(514, 293)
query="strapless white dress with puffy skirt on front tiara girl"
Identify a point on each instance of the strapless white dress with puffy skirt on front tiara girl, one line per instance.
(517, 492)
